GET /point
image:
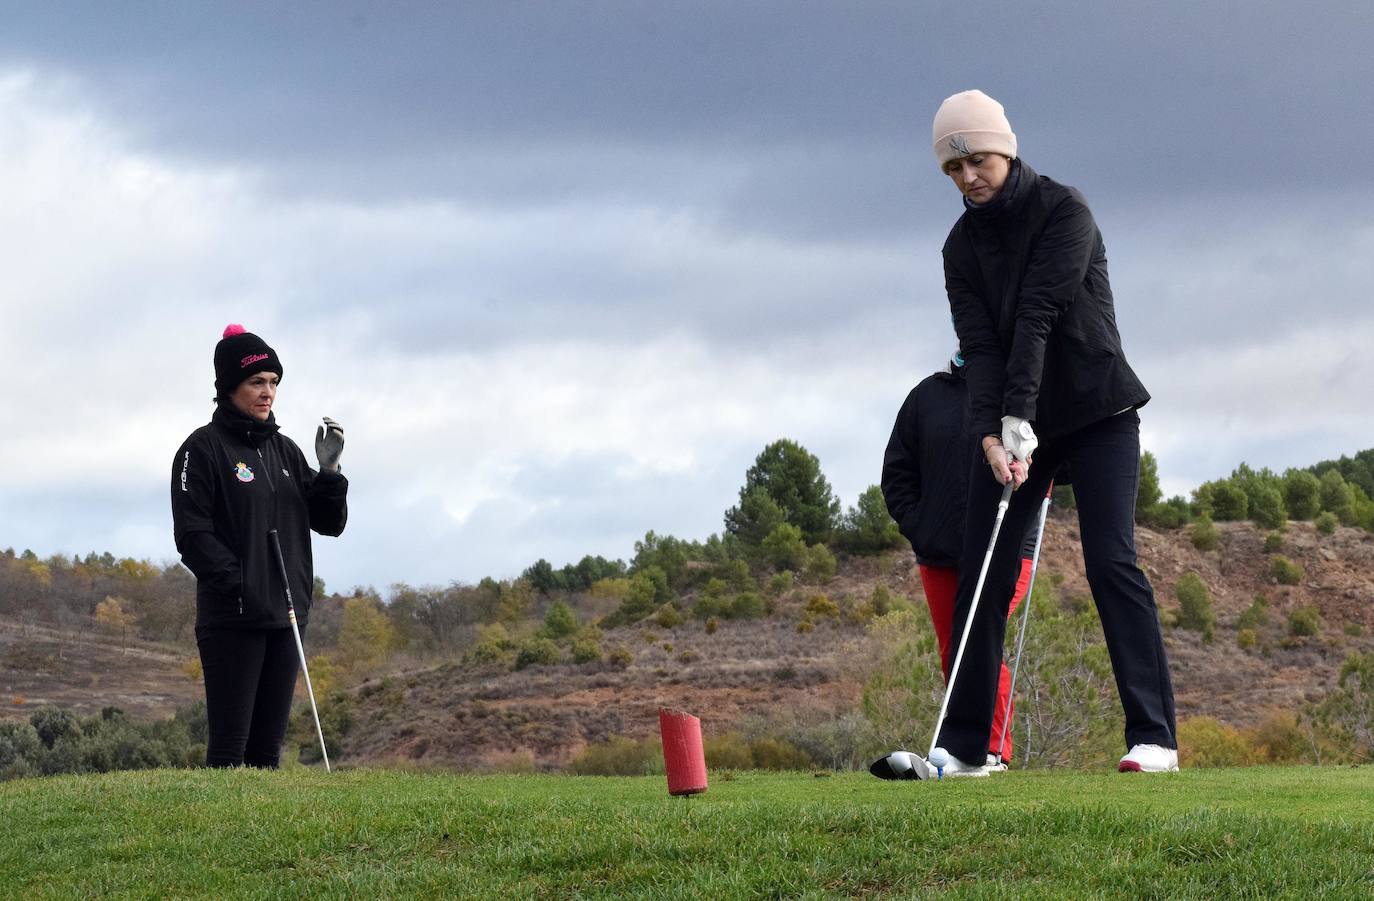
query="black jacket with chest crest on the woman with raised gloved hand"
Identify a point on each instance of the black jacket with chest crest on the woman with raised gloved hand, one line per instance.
(233, 481)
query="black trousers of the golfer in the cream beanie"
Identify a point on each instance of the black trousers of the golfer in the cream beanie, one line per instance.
(1105, 468)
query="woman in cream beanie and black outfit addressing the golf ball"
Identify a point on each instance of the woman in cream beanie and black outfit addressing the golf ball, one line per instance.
(1049, 385)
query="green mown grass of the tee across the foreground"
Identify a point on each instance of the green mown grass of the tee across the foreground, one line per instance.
(1298, 833)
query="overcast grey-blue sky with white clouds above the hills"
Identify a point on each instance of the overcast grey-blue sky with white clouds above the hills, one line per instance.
(563, 270)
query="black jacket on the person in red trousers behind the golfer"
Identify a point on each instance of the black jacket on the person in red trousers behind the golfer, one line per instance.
(925, 470)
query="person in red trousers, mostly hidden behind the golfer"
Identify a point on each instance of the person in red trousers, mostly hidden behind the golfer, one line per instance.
(925, 483)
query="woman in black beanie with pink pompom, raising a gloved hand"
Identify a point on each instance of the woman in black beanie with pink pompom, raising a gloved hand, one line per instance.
(233, 481)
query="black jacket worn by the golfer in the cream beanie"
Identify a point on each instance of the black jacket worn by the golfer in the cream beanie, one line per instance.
(1027, 277)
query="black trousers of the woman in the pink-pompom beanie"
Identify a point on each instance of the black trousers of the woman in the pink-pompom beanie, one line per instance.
(249, 686)
